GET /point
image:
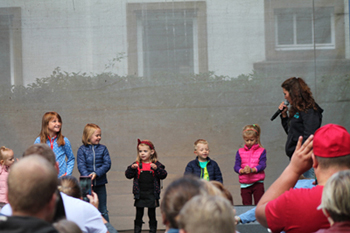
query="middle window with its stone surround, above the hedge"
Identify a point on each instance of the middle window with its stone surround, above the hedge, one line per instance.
(167, 37)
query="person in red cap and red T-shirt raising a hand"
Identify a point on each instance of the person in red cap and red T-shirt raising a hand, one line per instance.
(295, 210)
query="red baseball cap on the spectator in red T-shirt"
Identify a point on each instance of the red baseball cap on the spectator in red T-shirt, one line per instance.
(331, 141)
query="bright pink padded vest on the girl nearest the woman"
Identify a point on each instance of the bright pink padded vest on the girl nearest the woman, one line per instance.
(251, 157)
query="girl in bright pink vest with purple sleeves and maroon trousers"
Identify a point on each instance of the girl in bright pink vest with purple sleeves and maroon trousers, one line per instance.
(250, 165)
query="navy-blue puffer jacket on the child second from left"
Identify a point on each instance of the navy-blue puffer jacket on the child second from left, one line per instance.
(94, 158)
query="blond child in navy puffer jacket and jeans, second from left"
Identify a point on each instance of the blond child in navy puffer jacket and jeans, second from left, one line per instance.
(93, 160)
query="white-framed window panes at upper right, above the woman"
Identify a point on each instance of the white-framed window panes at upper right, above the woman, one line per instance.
(300, 28)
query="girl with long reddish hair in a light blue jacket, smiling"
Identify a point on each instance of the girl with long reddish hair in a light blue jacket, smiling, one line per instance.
(51, 134)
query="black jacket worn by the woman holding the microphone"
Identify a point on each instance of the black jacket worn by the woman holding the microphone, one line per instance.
(301, 124)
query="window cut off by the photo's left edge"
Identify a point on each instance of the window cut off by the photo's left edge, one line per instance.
(10, 47)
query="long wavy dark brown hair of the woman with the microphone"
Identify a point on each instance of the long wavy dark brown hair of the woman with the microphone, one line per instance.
(300, 95)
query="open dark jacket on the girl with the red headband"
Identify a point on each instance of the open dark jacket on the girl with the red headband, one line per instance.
(159, 174)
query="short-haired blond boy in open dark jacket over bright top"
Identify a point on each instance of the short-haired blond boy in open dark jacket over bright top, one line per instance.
(203, 167)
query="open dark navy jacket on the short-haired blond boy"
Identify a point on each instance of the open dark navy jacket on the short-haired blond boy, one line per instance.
(212, 167)
